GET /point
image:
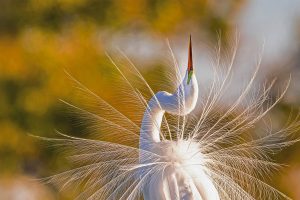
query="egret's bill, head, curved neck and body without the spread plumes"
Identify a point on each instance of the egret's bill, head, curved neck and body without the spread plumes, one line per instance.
(179, 180)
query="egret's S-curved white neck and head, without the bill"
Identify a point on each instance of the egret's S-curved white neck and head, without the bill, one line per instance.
(181, 102)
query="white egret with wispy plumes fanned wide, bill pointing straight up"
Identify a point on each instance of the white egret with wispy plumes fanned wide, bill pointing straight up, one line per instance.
(162, 148)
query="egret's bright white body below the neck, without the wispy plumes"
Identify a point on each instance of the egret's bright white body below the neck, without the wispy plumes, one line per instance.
(183, 178)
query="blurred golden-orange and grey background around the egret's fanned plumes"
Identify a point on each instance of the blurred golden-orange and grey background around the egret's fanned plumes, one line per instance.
(40, 39)
